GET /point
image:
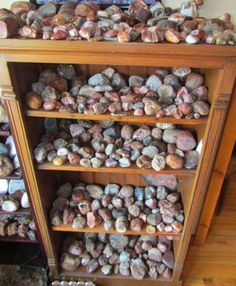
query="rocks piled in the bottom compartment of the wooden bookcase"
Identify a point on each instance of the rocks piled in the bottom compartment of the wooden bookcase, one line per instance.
(139, 256)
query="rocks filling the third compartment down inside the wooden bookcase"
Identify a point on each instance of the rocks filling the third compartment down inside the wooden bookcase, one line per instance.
(121, 208)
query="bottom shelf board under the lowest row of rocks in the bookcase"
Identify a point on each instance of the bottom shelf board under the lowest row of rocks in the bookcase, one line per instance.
(81, 272)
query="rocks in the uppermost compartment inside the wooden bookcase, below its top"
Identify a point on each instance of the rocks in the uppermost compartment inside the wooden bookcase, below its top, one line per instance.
(178, 92)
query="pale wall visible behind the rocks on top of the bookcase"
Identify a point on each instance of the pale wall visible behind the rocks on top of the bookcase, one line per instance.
(211, 9)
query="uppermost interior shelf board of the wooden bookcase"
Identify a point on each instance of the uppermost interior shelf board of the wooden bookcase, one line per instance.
(118, 118)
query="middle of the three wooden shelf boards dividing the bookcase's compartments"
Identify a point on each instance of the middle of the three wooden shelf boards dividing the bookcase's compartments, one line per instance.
(131, 170)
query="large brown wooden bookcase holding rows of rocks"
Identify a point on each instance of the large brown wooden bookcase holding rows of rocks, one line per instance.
(21, 62)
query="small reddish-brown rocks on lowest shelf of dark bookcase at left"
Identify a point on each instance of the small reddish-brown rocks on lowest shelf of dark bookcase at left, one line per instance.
(21, 225)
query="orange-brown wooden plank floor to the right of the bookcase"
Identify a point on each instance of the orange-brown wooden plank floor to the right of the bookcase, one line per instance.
(214, 264)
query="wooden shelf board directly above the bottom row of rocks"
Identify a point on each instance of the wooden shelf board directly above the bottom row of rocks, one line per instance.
(100, 229)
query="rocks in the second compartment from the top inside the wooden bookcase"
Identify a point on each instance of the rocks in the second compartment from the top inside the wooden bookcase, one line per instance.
(92, 144)
